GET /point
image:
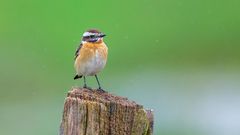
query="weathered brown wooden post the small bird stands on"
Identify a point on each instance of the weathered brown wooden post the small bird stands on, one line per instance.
(92, 112)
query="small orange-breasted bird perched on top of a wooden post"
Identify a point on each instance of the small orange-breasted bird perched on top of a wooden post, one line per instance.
(90, 56)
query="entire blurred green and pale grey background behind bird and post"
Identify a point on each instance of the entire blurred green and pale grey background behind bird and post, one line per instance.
(178, 57)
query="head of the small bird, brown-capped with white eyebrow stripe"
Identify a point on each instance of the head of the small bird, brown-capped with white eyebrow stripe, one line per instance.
(93, 36)
